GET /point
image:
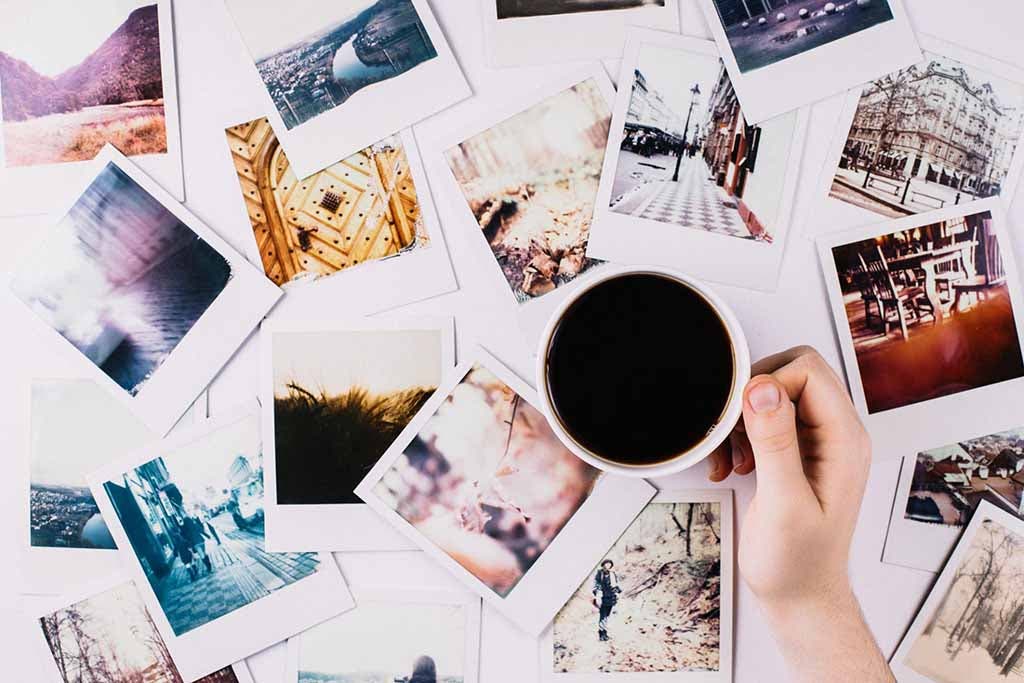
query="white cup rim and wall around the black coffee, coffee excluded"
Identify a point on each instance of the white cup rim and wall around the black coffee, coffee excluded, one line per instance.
(734, 409)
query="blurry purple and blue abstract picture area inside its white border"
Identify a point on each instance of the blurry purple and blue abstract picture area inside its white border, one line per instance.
(122, 279)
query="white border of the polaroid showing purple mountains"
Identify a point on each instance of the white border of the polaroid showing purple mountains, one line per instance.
(28, 190)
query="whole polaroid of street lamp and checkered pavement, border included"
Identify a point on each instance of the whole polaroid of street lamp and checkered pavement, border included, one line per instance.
(688, 183)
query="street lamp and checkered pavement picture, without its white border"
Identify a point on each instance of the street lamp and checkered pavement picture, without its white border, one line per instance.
(689, 158)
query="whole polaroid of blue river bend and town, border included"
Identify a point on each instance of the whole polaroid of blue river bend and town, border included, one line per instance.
(340, 76)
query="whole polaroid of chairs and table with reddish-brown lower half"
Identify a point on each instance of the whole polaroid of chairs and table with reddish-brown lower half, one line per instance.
(928, 314)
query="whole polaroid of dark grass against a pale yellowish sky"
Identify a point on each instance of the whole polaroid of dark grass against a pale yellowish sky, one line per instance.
(334, 399)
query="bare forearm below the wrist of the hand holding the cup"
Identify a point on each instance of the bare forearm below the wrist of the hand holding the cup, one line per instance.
(828, 641)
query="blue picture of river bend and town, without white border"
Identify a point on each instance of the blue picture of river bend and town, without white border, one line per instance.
(314, 57)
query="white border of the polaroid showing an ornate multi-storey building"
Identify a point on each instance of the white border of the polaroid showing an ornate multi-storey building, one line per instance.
(837, 215)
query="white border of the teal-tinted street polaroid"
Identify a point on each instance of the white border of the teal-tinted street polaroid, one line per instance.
(247, 630)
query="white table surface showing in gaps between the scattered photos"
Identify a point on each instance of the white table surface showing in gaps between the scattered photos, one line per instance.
(210, 70)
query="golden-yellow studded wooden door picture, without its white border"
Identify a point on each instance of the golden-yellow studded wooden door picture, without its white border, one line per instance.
(364, 208)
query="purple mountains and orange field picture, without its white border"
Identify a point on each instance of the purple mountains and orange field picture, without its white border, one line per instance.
(114, 94)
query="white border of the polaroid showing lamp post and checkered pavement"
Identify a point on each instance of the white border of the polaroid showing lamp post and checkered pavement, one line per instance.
(637, 241)
